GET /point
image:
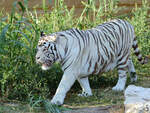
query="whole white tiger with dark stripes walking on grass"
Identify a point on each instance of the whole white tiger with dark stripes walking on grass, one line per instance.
(85, 52)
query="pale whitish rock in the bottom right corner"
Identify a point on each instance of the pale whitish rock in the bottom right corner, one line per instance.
(137, 99)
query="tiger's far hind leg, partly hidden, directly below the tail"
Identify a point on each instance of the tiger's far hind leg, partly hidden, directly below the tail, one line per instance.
(131, 70)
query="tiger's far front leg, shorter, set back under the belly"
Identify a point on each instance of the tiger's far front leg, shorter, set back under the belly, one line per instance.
(86, 90)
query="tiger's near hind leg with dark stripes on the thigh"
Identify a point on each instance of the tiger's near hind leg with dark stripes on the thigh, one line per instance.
(122, 69)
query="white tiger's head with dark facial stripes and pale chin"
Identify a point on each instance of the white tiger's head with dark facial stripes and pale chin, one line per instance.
(46, 51)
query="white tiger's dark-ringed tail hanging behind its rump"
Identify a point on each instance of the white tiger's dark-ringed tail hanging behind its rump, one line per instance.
(138, 54)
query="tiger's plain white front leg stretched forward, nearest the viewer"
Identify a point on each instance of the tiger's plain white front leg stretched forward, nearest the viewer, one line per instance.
(65, 84)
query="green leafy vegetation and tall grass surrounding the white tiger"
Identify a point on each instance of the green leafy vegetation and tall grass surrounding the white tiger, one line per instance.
(22, 79)
